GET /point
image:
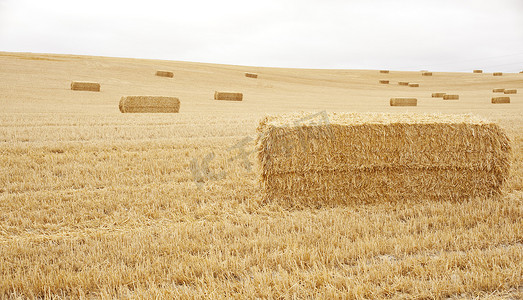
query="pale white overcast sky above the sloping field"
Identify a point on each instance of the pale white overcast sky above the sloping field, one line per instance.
(438, 35)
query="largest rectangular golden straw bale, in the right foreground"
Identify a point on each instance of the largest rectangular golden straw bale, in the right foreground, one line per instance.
(365, 157)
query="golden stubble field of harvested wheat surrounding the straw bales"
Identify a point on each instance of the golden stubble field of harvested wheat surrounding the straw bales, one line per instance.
(99, 204)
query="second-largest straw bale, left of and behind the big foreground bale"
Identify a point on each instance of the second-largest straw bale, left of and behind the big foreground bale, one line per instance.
(149, 104)
